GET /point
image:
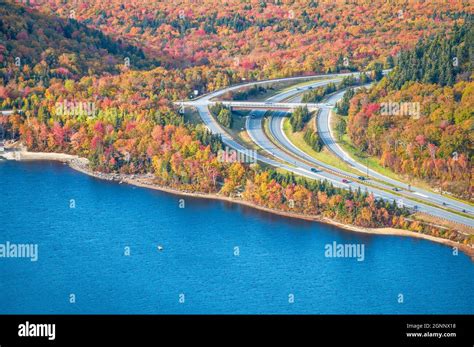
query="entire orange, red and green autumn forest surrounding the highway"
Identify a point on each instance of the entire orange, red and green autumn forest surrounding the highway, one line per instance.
(98, 79)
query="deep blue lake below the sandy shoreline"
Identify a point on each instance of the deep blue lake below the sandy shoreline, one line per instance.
(82, 252)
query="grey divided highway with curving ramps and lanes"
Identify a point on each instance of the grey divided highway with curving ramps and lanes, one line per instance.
(294, 160)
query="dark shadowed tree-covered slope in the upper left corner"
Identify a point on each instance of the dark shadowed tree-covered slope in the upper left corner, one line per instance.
(46, 46)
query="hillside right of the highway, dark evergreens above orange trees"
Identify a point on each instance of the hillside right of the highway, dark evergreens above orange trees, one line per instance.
(429, 134)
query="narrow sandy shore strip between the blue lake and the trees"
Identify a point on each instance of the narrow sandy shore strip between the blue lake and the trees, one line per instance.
(145, 181)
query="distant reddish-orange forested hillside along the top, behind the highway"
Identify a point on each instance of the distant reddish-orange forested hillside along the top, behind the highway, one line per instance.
(257, 39)
